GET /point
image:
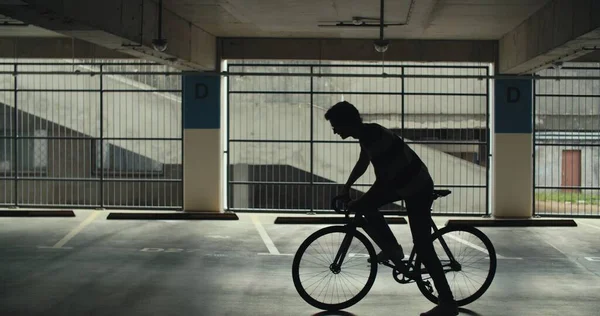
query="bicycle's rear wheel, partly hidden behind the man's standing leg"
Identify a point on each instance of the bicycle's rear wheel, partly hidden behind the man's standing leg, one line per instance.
(473, 269)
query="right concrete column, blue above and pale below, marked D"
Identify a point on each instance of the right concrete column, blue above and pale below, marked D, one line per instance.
(512, 152)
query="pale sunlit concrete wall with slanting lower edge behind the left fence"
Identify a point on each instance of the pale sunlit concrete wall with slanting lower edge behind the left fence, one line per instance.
(126, 114)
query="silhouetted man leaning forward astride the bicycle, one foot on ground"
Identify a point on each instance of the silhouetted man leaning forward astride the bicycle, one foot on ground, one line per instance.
(400, 175)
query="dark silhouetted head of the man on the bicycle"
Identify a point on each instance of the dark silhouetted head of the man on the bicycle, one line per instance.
(345, 119)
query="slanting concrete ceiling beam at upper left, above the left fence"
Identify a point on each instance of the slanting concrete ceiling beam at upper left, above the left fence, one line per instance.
(124, 26)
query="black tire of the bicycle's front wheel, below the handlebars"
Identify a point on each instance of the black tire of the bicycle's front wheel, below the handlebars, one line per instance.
(298, 284)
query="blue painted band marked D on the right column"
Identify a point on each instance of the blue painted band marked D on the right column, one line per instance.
(513, 106)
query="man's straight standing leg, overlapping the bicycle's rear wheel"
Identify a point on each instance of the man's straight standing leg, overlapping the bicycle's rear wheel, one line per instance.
(419, 215)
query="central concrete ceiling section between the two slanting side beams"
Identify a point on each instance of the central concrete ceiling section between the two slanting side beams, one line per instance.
(427, 19)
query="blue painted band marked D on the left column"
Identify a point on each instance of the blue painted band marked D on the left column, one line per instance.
(201, 101)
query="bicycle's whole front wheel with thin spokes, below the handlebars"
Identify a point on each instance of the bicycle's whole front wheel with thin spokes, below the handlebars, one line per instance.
(329, 288)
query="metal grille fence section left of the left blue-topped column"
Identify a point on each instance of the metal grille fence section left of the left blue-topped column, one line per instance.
(102, 133)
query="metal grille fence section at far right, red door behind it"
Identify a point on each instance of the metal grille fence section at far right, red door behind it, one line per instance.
(567, 142)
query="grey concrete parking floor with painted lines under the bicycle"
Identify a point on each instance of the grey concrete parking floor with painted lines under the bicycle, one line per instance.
(88, 265)
